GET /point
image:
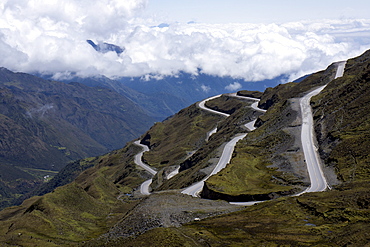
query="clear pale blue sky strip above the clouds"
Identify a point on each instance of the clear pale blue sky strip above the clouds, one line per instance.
(267, 11)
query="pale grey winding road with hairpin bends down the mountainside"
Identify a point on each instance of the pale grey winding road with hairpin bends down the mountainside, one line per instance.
(317, 178)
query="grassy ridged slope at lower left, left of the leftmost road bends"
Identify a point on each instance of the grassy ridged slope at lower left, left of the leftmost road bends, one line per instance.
(78, 211)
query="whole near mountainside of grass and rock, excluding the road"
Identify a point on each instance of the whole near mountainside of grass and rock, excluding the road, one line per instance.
(103, 205)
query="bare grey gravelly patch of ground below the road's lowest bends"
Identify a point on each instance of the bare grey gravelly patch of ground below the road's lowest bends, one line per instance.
(164, 209)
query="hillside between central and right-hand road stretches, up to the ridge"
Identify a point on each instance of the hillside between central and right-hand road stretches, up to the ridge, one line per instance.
(269, 162)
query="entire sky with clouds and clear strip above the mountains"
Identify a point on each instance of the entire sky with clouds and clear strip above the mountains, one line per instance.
(253, 40)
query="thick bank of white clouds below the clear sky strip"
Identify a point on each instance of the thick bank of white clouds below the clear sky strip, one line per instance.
(49, 36)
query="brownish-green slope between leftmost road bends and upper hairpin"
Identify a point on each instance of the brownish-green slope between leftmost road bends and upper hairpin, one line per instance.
(172, 140)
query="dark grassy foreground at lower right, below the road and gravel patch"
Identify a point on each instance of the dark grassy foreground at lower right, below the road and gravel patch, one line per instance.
(334, 218)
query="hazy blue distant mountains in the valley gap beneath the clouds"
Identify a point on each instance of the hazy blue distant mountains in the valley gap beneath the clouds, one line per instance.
(162, 97)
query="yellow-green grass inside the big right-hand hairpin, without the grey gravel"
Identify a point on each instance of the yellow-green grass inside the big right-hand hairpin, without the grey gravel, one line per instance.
(254, 169)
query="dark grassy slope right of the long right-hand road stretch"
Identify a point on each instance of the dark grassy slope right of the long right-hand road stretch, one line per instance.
(343, 121)
